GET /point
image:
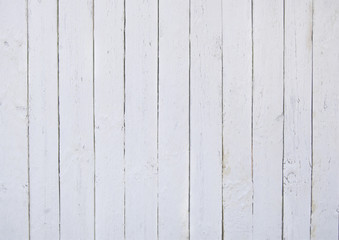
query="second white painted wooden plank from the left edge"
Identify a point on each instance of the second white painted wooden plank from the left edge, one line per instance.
(43, 112)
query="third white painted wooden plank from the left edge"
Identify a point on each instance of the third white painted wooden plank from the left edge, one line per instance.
(76, 119)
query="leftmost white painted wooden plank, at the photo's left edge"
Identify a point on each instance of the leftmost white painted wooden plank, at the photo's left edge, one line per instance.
(14, 220)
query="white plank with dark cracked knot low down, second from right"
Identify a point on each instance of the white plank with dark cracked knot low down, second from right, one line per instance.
(297, 130)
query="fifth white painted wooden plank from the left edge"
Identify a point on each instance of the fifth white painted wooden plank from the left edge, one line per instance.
(141, 120)
